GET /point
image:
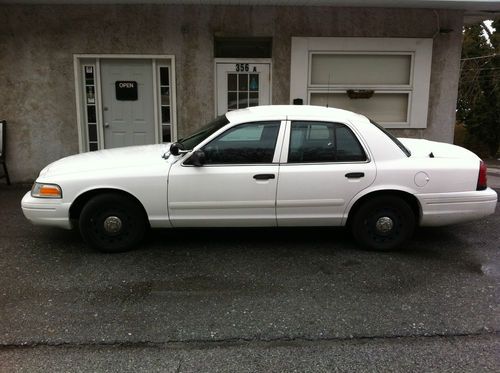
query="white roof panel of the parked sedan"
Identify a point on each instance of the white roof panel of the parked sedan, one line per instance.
(292, 112)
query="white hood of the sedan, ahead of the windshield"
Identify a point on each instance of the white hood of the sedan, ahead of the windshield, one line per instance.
(108, 159)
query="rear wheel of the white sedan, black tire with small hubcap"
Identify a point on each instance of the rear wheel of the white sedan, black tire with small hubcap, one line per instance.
(383, 223)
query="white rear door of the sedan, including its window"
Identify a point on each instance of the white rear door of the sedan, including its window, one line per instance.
(324, 165)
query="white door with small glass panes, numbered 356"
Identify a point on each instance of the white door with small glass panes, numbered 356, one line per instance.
(242, 84)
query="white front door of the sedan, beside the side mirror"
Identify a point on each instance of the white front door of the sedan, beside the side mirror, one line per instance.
(236, 186)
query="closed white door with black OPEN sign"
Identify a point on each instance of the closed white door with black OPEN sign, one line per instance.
(128, 102)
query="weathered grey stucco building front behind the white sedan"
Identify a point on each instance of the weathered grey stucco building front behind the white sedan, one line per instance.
(84, 77)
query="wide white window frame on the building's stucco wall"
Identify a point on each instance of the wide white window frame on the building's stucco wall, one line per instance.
(419, 90)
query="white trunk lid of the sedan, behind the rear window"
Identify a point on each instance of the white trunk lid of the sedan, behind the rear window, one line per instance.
(423, 148)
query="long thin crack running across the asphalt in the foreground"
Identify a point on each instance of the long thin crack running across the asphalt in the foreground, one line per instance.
(238, 342)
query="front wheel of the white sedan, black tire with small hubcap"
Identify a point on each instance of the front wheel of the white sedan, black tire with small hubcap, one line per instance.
(112, 223)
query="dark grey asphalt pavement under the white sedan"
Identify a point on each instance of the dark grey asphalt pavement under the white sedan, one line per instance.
(247, 300)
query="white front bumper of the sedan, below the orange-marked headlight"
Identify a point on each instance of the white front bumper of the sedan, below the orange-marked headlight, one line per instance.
(45, 211)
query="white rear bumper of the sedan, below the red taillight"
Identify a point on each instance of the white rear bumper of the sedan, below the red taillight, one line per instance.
(451, 208)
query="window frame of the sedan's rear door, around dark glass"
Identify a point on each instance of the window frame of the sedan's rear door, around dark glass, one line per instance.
(285, 151)
